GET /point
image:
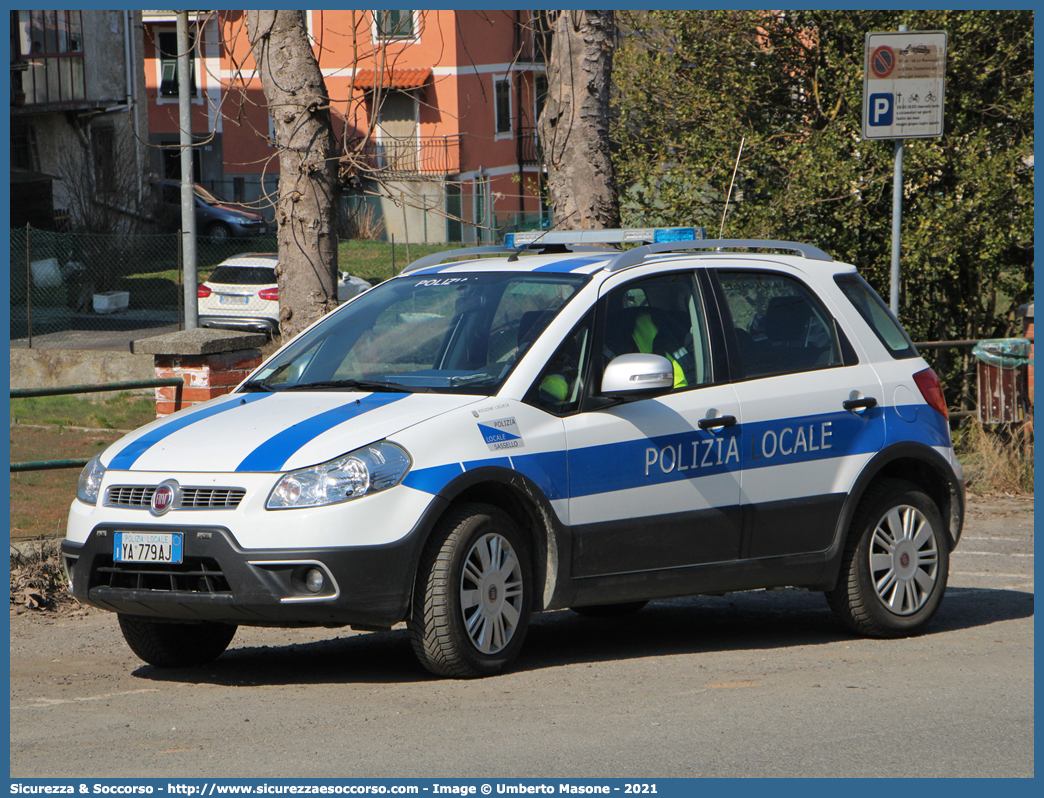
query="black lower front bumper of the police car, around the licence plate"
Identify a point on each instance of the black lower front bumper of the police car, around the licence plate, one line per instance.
(368, 586)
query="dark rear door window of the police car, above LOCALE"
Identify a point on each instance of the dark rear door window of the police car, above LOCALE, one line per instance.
(780, 326)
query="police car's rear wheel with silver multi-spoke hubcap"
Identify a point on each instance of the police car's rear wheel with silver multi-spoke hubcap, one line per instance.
(896, 564)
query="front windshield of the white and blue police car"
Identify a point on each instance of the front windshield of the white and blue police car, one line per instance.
(459, 334)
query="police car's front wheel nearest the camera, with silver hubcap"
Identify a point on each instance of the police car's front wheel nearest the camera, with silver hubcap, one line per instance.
(473, 595)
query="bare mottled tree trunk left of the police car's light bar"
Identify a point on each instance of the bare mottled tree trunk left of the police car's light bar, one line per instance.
(309, 187)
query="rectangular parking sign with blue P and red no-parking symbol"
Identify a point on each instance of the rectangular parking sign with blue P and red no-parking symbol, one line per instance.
(905, 84)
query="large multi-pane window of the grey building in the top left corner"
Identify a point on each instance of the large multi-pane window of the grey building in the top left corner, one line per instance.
(51, 44)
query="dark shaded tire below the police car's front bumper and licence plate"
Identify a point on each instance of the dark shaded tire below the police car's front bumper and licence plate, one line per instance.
(176, 645)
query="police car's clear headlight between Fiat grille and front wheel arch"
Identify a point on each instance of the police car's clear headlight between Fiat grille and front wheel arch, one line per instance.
(359, 474)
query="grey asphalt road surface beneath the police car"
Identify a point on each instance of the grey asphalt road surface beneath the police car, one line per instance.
(748, 685)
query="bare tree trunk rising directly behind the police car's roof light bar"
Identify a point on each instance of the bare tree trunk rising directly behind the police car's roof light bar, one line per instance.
(575, 125)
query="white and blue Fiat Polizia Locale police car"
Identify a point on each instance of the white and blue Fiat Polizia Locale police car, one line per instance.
(554, 424)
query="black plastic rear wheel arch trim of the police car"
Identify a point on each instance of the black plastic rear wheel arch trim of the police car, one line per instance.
(915, 463)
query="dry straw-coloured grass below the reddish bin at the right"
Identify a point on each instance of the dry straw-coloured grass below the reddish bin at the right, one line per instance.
(996, 459)
